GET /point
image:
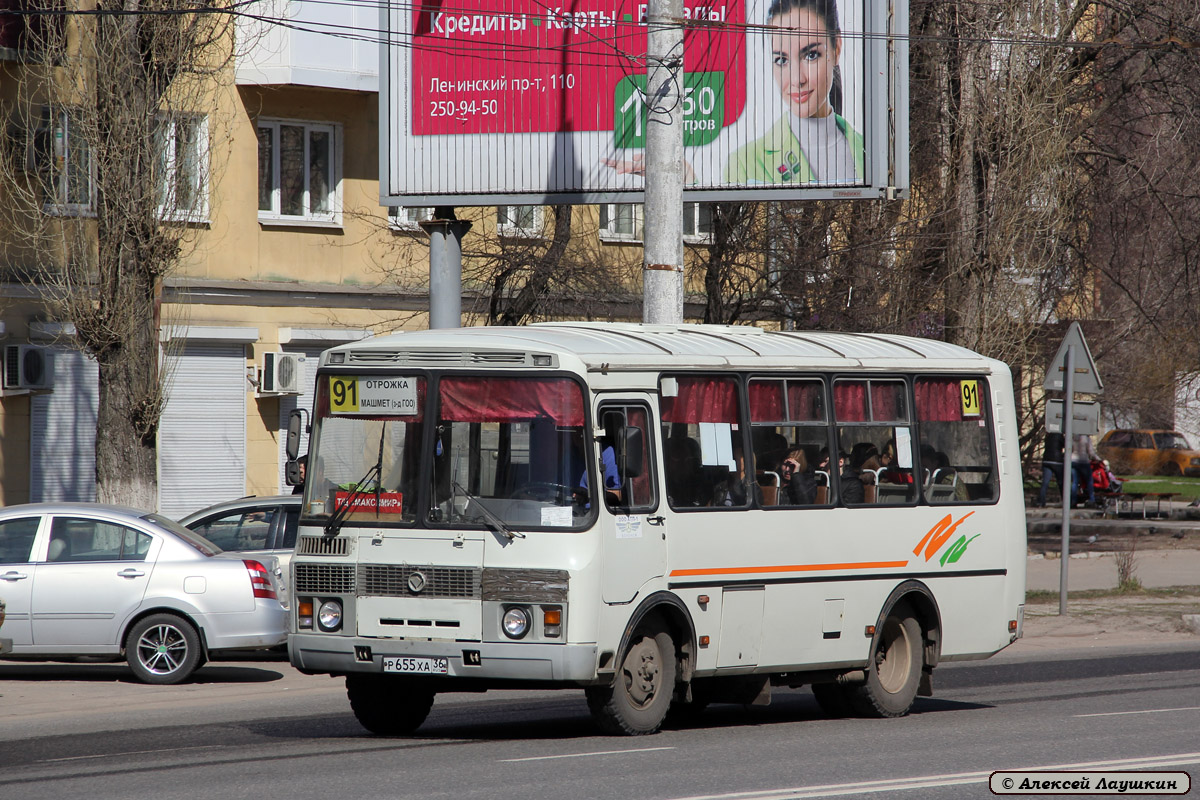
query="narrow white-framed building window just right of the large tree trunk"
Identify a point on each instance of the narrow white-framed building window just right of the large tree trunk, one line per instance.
(183, 146)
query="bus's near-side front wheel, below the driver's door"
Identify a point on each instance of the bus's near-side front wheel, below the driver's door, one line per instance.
(638, 701)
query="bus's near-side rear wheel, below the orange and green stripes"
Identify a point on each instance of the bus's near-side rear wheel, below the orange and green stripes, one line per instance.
(893, 675)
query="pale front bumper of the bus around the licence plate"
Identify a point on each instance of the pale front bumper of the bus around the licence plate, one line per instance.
(502, 661)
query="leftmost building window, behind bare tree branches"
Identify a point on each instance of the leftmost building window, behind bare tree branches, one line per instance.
(64, 163)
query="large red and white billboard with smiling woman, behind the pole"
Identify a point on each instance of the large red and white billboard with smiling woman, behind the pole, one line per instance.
(520, 103)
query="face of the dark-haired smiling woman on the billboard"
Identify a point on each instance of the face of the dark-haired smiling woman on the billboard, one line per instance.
(803, 57)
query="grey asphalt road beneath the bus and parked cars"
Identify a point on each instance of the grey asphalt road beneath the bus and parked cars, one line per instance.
(260, 730)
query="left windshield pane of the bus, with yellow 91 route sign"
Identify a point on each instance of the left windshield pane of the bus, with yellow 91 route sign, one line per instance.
(368, 440)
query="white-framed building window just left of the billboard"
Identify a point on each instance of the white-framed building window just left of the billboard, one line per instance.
(299, 166)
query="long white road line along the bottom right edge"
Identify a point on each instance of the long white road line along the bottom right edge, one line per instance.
(933, 781)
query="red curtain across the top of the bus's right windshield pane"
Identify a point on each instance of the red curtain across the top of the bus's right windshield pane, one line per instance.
(512, 400)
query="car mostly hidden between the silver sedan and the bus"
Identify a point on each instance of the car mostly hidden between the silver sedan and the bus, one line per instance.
(254, 526)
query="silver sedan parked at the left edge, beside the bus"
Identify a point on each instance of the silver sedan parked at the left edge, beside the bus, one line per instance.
(88, 580)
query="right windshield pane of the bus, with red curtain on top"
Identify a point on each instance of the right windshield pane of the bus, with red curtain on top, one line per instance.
(509, 453)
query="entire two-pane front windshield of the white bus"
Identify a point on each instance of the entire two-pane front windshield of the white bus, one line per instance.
(506, 453)
